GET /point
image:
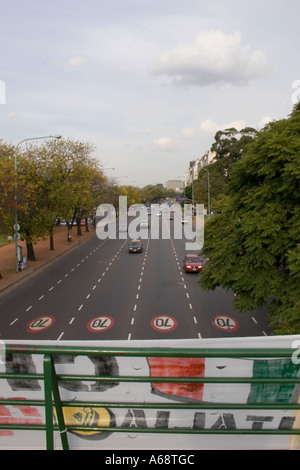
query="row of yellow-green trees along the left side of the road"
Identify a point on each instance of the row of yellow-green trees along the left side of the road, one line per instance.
(57, 179)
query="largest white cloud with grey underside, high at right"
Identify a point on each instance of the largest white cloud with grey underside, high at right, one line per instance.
(213, 58)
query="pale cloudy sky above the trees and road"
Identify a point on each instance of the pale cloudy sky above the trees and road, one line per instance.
(148, 82)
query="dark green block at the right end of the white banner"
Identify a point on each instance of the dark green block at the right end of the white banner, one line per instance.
(273, 392)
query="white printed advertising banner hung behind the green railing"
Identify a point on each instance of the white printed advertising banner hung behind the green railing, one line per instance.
(153, 392)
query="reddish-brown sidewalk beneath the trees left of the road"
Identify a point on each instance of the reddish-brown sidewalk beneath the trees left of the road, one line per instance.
(42, 253)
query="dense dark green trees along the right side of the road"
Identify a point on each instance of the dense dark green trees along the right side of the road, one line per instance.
(253, 241)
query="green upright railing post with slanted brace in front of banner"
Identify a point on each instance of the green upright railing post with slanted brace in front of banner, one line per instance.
(51, 386)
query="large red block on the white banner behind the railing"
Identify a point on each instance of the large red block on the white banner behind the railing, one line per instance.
(178, 367)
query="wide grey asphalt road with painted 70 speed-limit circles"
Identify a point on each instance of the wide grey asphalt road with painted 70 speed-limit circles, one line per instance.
(100, 291)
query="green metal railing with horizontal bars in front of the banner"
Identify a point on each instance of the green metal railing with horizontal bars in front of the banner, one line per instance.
(53, 403)
